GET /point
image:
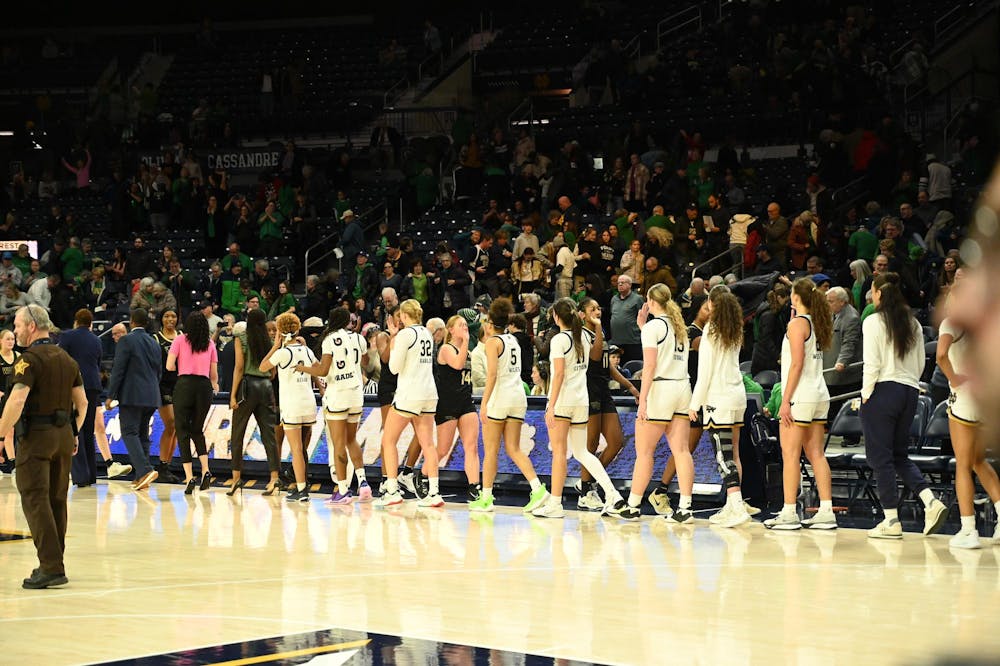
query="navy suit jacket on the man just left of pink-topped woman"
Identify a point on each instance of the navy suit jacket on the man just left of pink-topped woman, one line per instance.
(135, 376)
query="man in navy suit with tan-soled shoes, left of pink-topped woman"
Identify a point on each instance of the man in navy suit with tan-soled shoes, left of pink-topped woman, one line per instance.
(135, 384)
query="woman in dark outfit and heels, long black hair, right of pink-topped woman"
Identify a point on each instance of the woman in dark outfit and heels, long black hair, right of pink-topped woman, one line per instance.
(252, 395)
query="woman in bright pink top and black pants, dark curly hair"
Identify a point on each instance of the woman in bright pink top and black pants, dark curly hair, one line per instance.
(194, 357)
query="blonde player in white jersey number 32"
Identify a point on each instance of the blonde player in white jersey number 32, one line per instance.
(411, 358)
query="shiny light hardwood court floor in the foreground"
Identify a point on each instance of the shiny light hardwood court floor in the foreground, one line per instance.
(157, 572)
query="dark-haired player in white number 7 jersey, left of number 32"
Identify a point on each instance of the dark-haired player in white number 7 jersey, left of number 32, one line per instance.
(340, 366)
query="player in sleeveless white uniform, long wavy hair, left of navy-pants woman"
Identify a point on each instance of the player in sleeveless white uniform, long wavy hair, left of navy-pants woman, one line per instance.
(805, 402)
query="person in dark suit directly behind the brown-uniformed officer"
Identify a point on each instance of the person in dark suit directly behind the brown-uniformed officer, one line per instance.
(85, 348)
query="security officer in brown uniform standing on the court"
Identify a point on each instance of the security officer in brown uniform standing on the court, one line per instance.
(47, 388)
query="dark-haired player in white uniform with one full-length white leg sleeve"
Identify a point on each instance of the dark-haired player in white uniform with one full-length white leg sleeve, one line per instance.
(568, 411)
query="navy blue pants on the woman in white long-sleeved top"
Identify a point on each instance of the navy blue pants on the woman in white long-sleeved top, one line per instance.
(886, 420)
